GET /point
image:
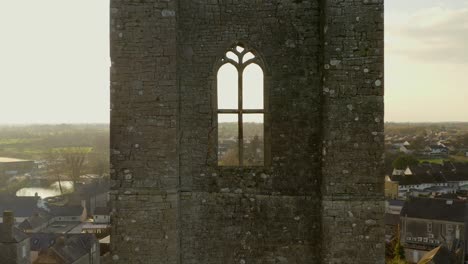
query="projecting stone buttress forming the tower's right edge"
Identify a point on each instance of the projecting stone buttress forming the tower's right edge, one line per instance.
(353, 132)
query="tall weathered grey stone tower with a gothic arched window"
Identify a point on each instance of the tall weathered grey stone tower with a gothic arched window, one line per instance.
(317, 196)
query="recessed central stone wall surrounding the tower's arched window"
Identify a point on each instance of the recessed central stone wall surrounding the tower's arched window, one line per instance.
(267, 214)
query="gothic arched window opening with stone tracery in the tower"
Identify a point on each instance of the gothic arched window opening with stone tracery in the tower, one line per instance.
(240, 108)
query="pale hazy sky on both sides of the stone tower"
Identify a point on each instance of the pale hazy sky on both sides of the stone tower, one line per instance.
(54, 61)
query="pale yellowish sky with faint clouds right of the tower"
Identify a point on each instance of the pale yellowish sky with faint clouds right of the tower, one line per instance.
(426, 60)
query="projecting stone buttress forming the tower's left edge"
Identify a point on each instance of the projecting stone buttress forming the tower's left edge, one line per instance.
(144, 142)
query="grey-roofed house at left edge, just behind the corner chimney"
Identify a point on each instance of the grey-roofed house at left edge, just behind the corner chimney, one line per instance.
(23, 207)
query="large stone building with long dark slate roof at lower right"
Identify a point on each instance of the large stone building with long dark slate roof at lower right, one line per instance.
(427, 223)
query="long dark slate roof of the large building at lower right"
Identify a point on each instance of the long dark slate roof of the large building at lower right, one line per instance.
(435, 209)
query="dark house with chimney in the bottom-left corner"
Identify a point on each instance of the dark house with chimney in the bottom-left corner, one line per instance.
(14, 244)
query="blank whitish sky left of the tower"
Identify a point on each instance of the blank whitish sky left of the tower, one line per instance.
(54, 61)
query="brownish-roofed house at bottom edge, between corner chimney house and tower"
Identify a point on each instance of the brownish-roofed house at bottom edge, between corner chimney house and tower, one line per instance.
(49, 248)
